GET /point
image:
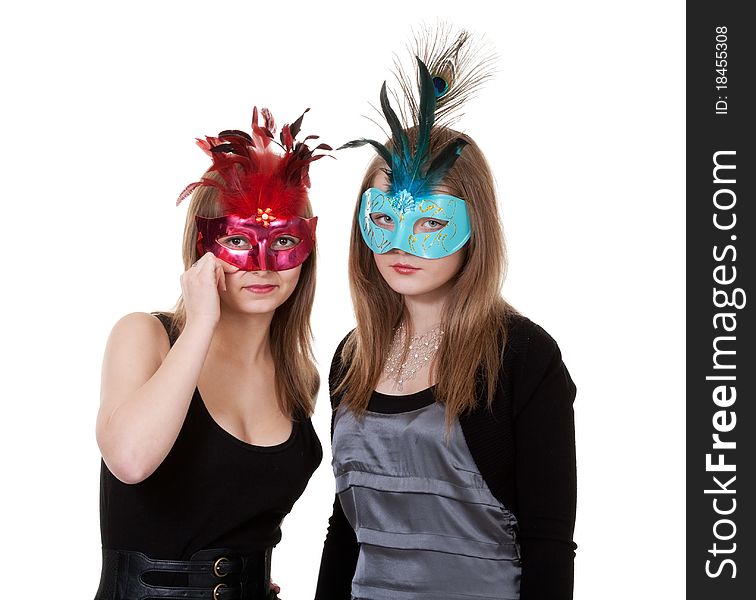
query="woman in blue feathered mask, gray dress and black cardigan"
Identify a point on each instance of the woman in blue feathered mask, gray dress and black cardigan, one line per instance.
(453, 435)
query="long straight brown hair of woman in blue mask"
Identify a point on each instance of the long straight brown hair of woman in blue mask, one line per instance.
(475, 313)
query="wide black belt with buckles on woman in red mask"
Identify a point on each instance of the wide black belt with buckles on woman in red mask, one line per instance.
(214, 574)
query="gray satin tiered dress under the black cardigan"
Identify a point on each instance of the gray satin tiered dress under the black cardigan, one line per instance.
(427, 524)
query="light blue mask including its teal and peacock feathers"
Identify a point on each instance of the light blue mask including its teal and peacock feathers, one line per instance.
(410, 216)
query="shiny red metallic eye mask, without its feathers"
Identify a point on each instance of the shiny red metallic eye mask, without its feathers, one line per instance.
(245, 243)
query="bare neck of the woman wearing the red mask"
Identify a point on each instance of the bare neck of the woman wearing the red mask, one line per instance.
(242, 339)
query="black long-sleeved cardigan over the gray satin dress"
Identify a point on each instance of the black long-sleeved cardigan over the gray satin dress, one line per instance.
(524, 447)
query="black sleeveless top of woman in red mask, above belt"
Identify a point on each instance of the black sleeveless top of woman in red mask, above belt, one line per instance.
(212, 490)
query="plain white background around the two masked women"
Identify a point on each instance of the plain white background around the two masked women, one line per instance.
(584, 129)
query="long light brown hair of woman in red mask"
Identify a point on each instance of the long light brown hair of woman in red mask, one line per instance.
(297, 379)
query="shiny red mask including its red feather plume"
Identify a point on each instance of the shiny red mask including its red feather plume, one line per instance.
(263, 194)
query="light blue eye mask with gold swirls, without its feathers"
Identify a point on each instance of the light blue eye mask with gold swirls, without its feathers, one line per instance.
(430, 226)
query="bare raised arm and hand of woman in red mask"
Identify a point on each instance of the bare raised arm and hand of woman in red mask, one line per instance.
(147, 385)
